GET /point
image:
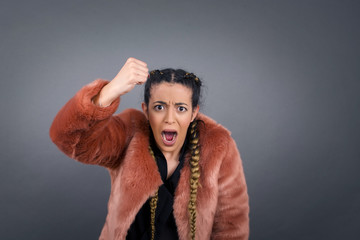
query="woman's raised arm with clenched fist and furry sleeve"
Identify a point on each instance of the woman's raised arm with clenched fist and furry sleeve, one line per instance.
(85, 129)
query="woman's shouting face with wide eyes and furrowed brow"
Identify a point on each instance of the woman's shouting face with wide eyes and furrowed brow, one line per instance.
(170, 114)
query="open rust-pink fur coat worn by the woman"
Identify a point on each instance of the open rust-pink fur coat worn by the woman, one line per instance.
(93, 135)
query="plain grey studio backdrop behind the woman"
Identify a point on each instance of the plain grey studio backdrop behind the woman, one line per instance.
(283, 76)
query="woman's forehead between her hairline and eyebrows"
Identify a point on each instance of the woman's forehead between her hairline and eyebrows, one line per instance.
(170, 92)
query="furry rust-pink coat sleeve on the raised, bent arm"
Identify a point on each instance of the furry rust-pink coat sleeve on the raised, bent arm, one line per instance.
(89, 133)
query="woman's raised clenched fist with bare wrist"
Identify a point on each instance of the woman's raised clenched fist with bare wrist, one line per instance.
(134, 72)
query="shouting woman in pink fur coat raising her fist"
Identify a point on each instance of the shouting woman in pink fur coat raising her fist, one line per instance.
(175, 173)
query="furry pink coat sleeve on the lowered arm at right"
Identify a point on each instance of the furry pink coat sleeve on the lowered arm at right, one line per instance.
(232, 215)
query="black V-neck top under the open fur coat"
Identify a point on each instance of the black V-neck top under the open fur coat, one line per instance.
(165, 227)
